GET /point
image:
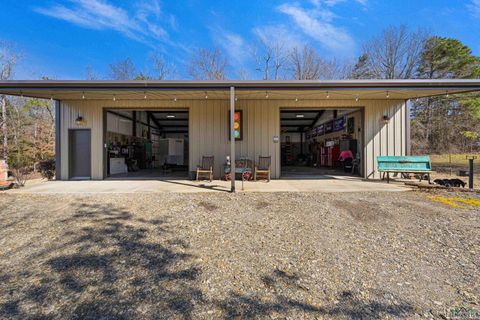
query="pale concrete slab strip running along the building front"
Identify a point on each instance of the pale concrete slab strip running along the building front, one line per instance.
(319, 184)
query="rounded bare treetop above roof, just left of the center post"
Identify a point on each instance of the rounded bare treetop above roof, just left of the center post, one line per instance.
(208, 65)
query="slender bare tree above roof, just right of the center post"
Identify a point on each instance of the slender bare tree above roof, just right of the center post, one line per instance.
(271, 58)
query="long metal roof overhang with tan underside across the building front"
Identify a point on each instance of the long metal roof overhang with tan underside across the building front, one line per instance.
(311, 89)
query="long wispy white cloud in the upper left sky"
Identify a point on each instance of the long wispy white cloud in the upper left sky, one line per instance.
(142, 25)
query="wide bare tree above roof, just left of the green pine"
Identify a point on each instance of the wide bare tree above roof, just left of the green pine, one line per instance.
(395, 54)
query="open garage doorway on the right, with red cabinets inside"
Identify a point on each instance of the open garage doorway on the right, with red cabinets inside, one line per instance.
(320, 142)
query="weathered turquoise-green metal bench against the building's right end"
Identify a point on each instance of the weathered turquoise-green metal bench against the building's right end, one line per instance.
(404, 165)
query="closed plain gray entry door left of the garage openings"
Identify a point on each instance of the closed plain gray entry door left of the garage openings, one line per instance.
(79, 153)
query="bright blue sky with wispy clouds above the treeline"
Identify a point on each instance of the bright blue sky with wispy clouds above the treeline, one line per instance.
(60, 38)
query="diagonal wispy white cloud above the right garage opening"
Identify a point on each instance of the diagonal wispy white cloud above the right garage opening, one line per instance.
(317, 23)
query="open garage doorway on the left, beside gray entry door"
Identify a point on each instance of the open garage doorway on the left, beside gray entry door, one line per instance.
(147, 144)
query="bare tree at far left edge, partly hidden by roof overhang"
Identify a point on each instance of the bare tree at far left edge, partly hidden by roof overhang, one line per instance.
(8, 59)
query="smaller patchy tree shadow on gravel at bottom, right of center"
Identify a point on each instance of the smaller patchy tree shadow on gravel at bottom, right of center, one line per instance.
(285, 285)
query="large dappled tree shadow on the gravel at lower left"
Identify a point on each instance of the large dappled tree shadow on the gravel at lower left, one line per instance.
(107, 264)
